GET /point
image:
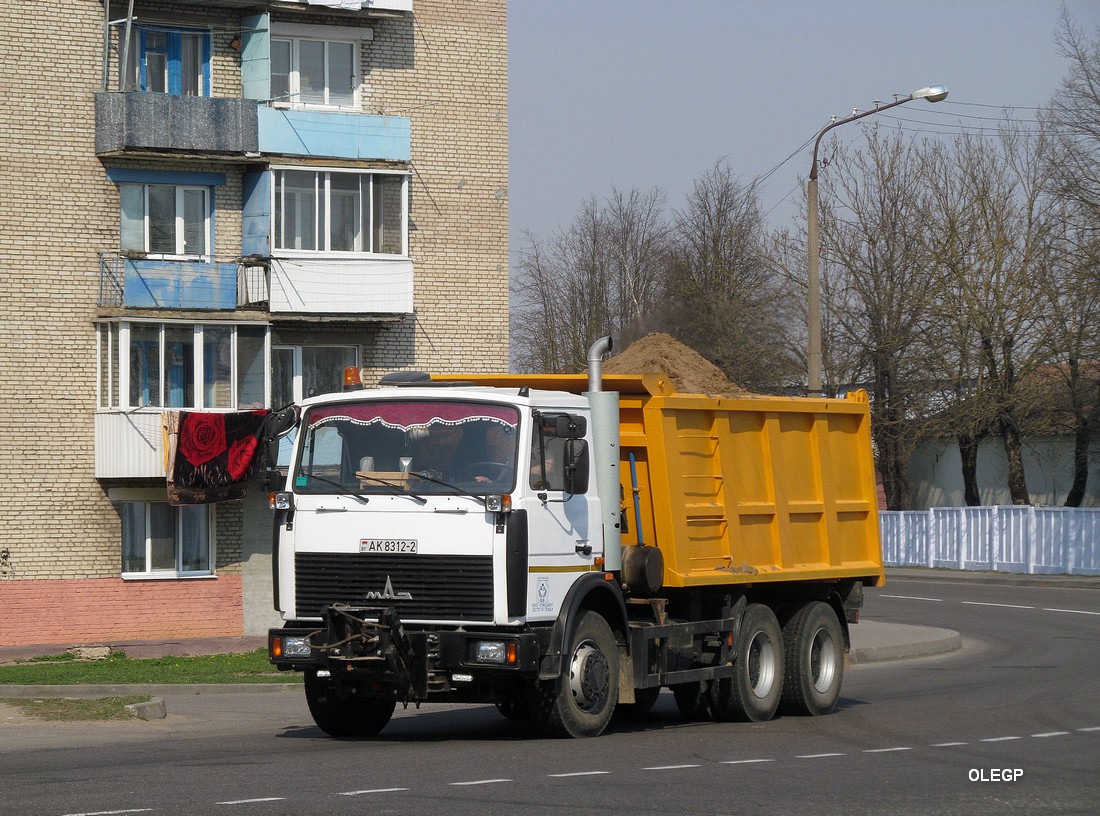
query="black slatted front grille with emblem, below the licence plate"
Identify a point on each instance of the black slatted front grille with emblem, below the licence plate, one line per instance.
(442, 588)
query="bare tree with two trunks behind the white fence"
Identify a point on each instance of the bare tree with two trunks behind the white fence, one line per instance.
(995, 253)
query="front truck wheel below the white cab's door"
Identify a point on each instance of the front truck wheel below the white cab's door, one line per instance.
(581, 703)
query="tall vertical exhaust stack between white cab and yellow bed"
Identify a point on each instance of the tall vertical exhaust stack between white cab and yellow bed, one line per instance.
(606, 440)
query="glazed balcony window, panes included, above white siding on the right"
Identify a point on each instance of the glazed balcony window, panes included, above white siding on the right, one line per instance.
(340, 212)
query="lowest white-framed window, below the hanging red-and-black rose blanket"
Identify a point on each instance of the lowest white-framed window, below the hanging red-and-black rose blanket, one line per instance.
(159, 539)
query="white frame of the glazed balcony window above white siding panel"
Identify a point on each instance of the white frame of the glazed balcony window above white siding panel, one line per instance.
(323, 213)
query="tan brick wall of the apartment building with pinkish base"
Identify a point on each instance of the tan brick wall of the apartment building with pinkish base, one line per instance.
(447, 71)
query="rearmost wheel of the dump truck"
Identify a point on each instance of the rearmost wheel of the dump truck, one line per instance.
(815, 650)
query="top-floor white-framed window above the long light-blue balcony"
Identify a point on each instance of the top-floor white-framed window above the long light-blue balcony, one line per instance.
(318, 73)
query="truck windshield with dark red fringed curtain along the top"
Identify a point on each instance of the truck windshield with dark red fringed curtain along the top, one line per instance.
(423, 447)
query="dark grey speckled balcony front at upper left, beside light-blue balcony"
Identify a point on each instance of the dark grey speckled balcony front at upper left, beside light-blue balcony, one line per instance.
(141, 123)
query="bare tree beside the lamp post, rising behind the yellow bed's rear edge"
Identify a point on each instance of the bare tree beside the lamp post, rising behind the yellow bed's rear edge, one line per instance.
(876, 288)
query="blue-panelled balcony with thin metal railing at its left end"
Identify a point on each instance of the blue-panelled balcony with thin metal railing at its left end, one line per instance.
(144, 284)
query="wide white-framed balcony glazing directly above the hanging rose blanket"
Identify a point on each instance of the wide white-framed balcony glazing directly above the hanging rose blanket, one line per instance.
(184, 366)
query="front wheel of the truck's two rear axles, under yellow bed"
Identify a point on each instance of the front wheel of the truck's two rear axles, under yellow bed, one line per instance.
(754, 692)
